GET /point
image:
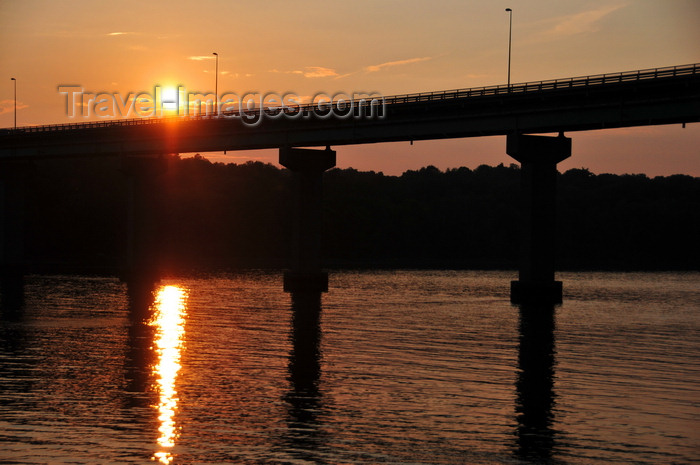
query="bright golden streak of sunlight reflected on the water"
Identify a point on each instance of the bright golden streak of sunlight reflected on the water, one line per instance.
(169, 320)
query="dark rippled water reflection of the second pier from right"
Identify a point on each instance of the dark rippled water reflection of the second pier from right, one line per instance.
(304, 397)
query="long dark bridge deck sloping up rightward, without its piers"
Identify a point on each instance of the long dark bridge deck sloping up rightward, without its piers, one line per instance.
(644, 97)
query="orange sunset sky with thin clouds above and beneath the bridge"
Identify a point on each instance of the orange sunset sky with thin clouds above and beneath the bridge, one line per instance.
(384, 46)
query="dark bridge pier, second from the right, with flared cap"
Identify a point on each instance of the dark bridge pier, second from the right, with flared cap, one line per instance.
(308, 166)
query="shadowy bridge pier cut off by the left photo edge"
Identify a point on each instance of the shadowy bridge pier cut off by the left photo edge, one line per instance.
(13, 188)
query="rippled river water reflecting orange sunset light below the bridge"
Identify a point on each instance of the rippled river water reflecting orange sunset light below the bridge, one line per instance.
(415, 367)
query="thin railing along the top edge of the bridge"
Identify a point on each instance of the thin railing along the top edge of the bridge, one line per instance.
(503, 90)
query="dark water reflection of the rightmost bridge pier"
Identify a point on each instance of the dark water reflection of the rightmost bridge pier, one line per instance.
(535, 384)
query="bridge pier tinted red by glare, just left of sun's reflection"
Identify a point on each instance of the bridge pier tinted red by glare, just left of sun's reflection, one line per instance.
(141, 257)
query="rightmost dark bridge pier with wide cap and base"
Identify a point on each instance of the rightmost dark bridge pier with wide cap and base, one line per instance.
(538, 156)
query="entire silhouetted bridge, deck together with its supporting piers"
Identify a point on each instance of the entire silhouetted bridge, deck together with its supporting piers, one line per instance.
(658, 96)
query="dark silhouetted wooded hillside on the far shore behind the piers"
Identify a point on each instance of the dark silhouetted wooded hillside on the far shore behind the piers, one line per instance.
(228, 216)
